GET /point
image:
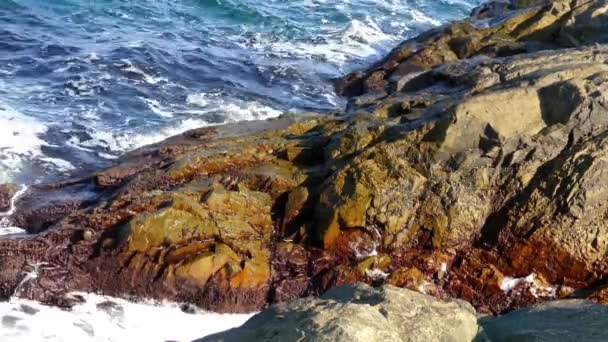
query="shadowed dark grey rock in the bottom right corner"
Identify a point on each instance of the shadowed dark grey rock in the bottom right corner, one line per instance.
(568, 320)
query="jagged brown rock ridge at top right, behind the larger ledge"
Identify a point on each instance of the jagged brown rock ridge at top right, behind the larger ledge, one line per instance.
(498, 28)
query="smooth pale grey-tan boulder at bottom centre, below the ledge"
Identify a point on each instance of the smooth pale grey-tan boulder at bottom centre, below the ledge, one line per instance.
(360, 313)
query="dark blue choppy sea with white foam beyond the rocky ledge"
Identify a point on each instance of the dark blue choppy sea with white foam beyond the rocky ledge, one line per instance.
(82, 81)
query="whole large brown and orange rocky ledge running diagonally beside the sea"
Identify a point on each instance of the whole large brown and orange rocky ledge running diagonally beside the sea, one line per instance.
(471, 163)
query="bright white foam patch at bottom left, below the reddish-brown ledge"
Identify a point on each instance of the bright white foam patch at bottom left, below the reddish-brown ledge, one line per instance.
(108, 319)
